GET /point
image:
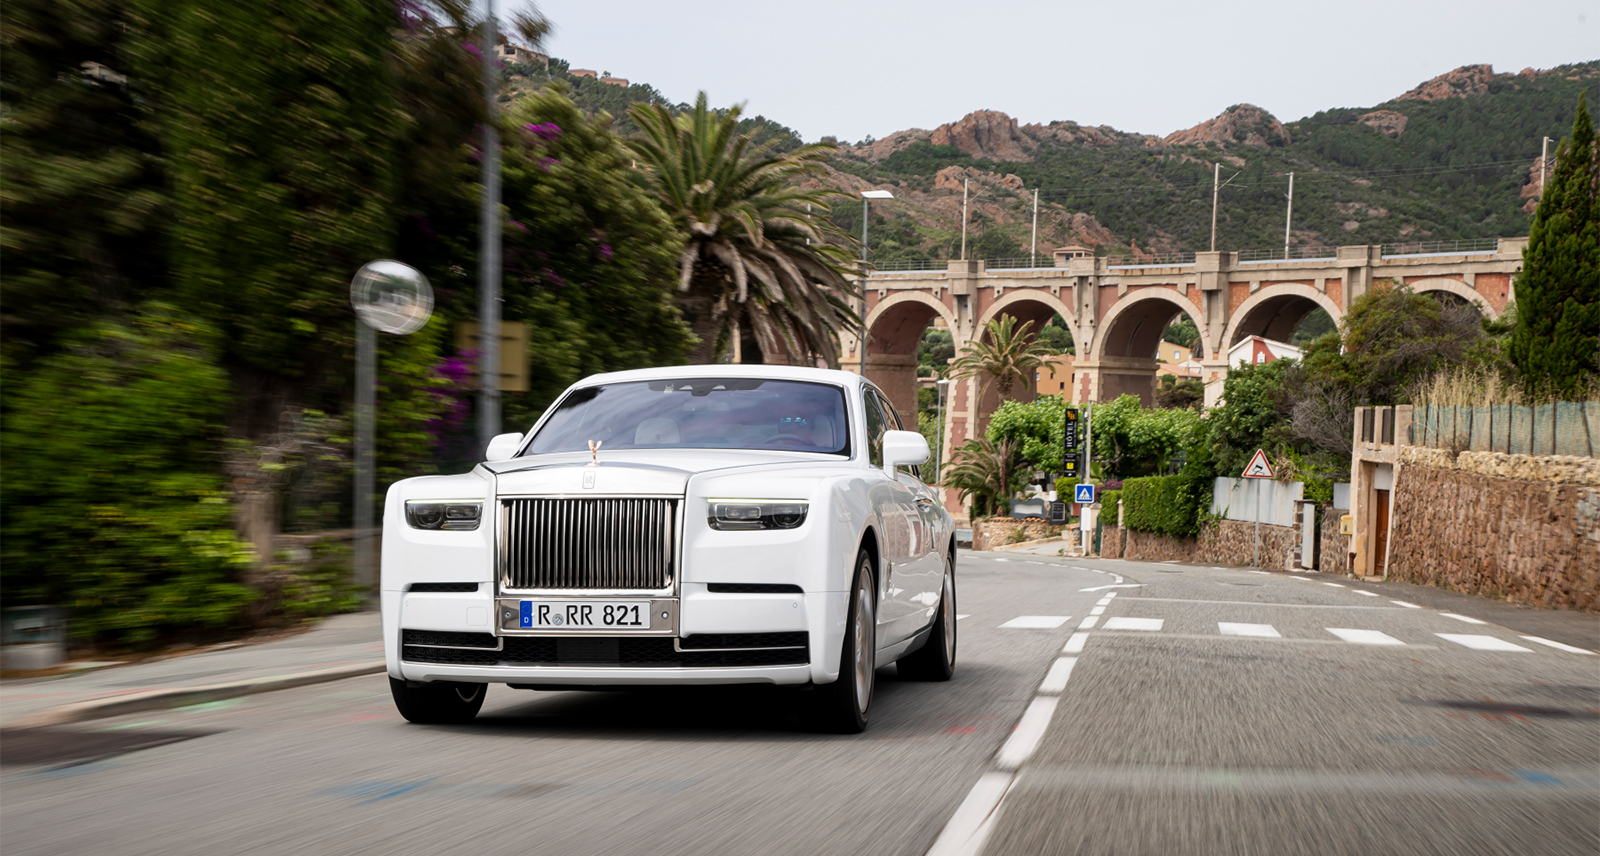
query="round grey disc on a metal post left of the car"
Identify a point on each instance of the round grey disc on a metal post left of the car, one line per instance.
(394, 298)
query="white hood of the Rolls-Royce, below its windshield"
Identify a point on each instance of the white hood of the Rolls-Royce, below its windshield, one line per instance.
(636, 471)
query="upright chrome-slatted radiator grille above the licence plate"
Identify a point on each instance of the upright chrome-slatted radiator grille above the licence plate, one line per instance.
(590, 543)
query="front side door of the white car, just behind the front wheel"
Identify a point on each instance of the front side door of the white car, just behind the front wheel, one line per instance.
(895, 506)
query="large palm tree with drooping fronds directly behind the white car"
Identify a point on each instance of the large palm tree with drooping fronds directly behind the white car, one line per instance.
(745, 217)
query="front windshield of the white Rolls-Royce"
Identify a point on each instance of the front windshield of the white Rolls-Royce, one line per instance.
(737, 414)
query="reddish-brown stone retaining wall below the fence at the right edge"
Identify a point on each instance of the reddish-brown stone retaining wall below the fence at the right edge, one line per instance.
(1532, 542)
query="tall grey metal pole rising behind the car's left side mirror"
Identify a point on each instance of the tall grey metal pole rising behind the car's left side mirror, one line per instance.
(489, 249)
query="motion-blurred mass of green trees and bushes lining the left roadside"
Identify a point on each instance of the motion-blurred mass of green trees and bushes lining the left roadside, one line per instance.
(188, 190)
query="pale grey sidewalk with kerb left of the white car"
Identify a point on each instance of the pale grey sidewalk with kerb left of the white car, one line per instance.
(340, 642)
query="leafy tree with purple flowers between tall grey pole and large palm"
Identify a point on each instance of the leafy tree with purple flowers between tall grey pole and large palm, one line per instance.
(591, 260)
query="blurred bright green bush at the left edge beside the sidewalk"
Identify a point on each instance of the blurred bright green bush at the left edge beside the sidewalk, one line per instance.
(113, 503)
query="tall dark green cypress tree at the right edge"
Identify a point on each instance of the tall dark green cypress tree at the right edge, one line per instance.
(1558, 340)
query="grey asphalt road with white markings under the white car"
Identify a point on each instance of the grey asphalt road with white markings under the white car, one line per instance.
(1167, 737)
